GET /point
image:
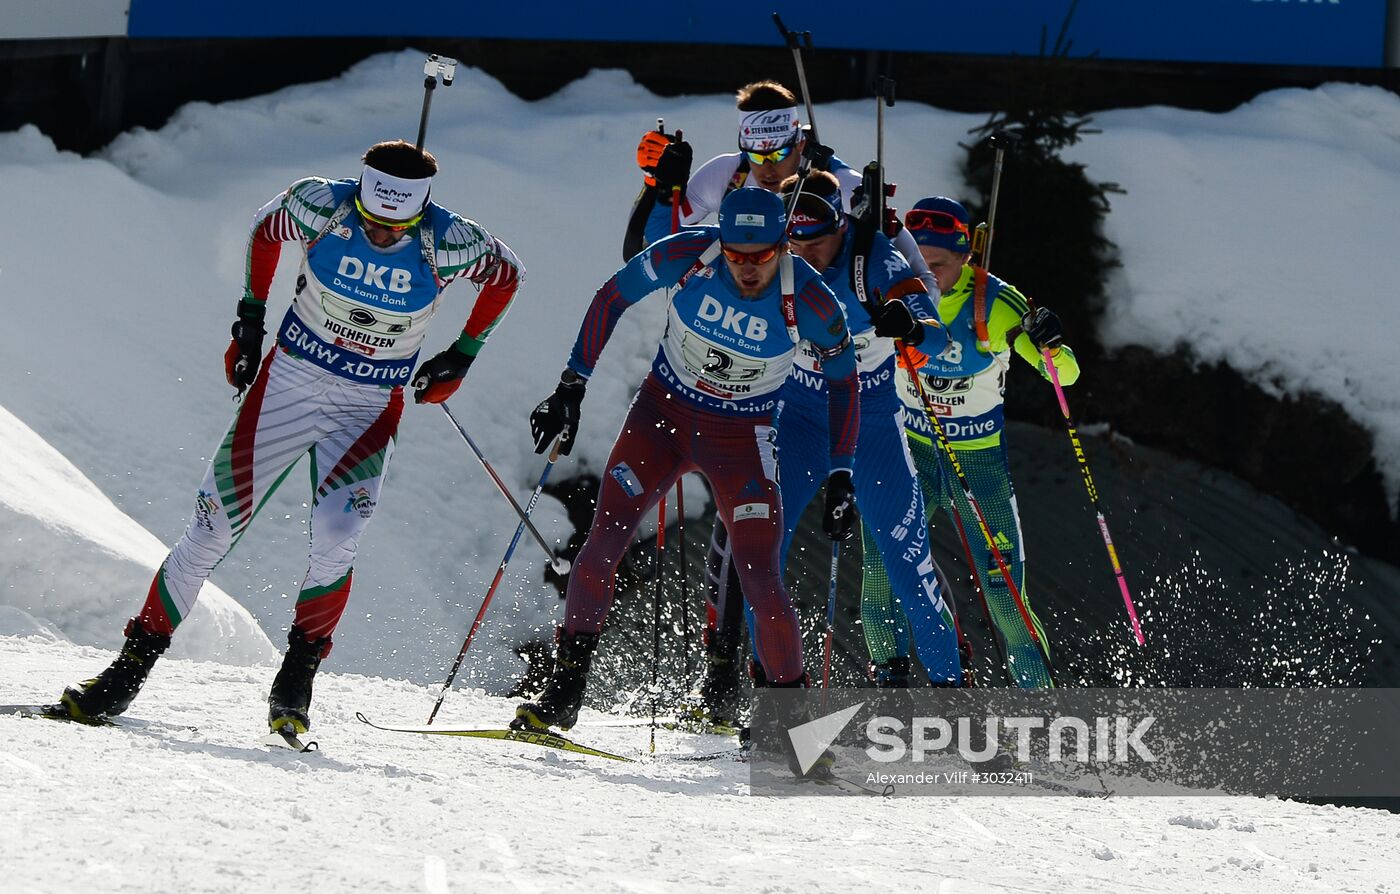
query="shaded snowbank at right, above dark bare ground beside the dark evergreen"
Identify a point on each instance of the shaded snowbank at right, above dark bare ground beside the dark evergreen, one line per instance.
(1263, 237)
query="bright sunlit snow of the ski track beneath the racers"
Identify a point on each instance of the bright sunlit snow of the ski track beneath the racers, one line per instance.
(162, 807)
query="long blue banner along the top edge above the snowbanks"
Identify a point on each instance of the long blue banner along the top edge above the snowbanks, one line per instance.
(1280, 33)
